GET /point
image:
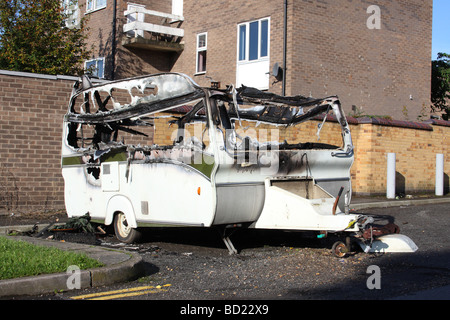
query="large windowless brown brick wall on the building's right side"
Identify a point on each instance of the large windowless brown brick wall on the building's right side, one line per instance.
(333, 52)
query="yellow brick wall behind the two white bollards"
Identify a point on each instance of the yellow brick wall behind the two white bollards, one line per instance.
(415, 145)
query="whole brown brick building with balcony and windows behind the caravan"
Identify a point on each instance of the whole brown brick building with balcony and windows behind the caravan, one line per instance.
(376, 56)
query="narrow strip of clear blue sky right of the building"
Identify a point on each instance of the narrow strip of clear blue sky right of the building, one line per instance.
(441, 27)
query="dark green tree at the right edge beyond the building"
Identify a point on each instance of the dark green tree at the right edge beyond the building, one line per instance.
(440, 85)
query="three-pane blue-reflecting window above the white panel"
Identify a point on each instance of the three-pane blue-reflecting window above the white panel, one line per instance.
(253, 40)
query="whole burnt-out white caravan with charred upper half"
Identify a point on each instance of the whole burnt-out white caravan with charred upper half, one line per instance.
(215, 170)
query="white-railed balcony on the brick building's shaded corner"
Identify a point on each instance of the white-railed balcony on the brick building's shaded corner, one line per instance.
(142, 30)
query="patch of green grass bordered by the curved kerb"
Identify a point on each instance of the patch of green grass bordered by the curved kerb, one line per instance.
(21, 259)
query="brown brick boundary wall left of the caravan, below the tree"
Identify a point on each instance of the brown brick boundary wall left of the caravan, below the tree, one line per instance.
(31, 113)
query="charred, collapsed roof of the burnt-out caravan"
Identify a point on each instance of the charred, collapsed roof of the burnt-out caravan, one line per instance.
(175, 89)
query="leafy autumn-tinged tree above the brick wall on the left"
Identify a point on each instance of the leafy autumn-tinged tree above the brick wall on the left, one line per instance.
(34, 38)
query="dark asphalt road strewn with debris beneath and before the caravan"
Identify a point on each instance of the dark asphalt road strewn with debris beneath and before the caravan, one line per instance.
(193, 264)
